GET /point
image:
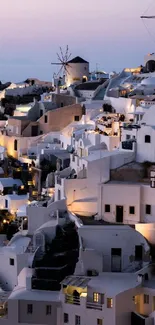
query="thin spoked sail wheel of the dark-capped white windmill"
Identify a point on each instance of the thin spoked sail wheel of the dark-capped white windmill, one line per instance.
(62, 61)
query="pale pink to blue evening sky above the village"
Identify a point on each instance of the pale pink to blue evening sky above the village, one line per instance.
(109, 33)
